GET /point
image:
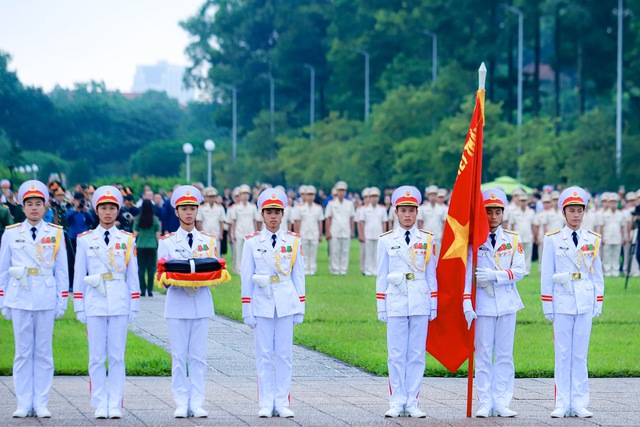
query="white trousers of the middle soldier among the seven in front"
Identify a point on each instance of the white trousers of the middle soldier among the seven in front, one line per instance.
(274, 346)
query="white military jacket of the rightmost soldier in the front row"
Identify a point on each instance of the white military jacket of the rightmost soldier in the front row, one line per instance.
(583, 290)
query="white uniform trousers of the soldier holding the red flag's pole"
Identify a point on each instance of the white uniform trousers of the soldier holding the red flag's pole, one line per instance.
(495, 371)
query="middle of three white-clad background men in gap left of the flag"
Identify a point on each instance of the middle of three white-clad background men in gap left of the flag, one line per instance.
(339, 216)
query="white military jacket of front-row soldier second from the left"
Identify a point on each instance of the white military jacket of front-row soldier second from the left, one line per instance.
(105, 281)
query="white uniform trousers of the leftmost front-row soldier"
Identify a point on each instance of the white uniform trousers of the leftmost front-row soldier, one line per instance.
(33, 362)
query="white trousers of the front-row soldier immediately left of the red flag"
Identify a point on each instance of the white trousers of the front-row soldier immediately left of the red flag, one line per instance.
(406, 343)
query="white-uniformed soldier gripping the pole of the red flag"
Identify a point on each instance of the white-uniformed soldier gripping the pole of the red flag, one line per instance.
(500, 266)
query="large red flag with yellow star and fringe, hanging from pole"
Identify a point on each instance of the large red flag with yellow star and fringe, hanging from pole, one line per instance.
(449, 340)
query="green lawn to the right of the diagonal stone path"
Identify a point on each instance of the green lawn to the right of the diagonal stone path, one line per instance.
(341, 321)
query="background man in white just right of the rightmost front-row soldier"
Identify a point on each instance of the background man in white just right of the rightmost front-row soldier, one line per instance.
(614, 235)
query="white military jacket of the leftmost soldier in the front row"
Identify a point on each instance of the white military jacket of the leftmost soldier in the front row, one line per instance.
(34, 273)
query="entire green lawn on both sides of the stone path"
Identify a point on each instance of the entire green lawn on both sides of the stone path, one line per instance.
(341, 321)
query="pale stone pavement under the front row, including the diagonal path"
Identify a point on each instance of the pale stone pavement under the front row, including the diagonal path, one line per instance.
(325, 392)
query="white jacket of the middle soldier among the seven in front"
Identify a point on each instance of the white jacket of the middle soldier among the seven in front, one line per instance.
(273, 281)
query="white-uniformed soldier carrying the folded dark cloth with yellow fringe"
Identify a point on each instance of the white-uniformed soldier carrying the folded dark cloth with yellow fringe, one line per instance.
(188, 310)
